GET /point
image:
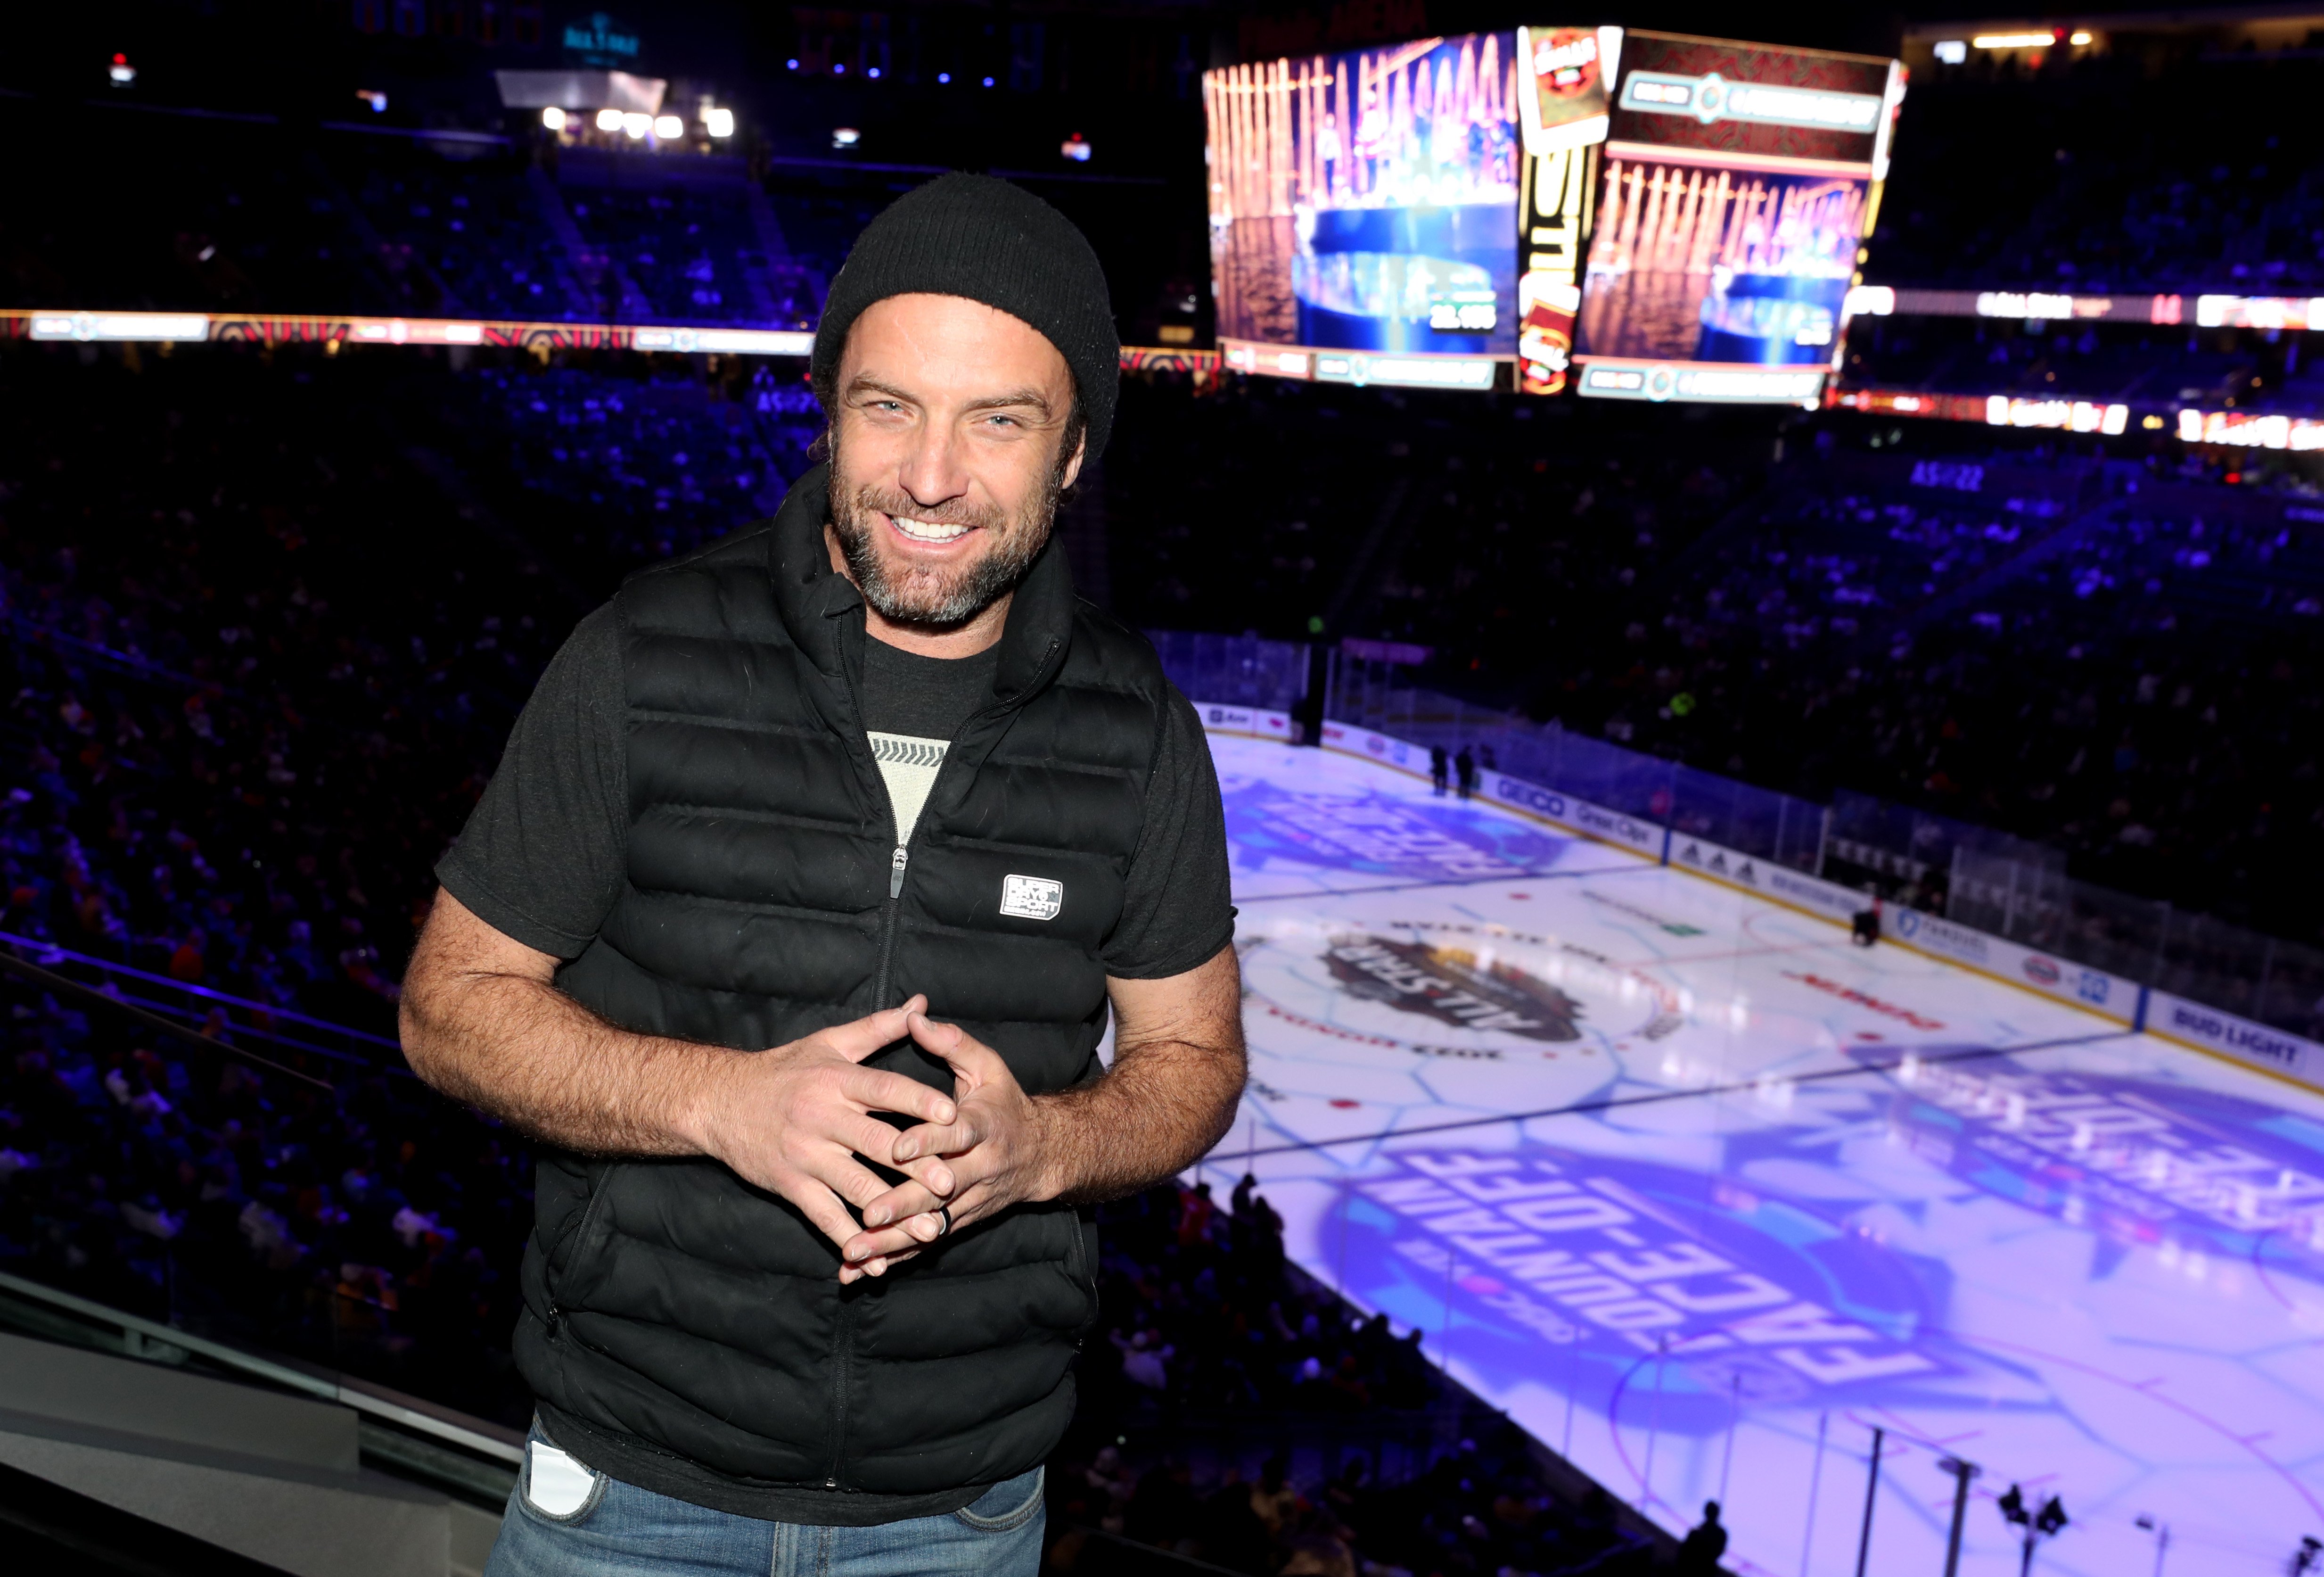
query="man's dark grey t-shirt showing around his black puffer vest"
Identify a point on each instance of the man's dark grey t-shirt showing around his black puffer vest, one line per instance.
(545, 850)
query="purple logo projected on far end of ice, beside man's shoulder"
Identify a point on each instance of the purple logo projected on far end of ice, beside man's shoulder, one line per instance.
(1414, 841)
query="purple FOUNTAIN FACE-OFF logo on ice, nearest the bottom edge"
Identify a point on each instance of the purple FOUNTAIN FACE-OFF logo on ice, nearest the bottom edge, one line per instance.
(1616, 1260)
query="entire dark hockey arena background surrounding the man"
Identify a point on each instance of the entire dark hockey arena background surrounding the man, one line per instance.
(1758, 613)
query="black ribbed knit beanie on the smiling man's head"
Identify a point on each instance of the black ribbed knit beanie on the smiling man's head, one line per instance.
(996, 243)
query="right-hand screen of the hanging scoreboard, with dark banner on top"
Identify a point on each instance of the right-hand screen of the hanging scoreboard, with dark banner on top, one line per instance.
(1735, 194)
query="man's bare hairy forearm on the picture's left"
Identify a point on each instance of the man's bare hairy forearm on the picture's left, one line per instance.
(533, 1057)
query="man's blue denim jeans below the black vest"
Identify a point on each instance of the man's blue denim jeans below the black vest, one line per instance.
(626, 1532)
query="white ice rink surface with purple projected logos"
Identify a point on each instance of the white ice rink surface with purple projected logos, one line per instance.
(1702, 1194)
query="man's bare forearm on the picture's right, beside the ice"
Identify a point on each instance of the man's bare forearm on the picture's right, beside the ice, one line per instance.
(1159, 1111)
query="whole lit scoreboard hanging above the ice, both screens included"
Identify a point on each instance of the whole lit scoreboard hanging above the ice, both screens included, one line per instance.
(1647, 215)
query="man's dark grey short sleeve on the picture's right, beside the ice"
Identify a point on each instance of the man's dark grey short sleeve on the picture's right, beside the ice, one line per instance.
(1177, 904)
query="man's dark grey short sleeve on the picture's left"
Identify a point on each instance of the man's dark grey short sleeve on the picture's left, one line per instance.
(545, 850)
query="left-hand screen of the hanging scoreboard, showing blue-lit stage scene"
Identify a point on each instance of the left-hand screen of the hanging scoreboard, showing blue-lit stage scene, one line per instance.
(1363, 210)
